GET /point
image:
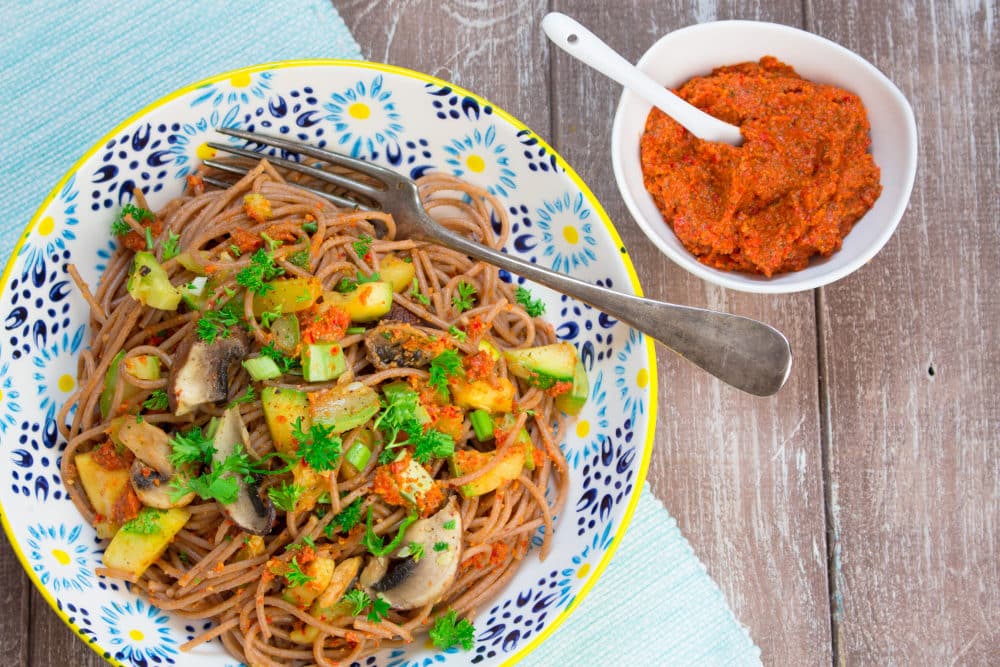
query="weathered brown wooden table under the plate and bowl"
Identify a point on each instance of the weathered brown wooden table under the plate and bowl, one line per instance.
(853, 518)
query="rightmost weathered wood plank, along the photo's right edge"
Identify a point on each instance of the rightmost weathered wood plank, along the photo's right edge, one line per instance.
(911, 359)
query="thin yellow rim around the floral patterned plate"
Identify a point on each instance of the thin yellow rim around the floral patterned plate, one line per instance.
(518, 125)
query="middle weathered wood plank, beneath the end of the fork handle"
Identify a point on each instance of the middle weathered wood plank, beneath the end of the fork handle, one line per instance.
(741, 474)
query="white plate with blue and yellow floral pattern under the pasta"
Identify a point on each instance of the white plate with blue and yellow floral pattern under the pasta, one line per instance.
(410, 122)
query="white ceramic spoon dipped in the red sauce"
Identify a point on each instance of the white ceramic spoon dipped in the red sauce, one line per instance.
(586, 47)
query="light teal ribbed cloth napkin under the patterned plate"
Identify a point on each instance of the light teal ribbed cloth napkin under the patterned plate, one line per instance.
(74, 69)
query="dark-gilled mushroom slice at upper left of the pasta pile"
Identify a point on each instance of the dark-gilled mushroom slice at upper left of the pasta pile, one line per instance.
(200, 372)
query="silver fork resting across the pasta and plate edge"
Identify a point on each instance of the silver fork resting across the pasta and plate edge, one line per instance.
(744, 353)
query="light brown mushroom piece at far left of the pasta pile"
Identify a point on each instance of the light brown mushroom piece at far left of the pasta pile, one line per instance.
(151, 473)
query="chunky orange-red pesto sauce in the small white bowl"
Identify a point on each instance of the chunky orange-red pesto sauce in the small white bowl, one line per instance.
(794, 189)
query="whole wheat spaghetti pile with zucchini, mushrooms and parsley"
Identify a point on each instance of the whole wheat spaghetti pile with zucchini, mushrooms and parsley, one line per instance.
(322, 566)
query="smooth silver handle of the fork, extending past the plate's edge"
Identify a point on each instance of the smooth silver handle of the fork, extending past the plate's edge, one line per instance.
(744, 353)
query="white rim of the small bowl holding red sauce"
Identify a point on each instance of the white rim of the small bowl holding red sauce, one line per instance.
(747, 282)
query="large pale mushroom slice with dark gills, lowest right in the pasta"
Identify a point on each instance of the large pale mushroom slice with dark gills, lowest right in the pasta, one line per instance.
(405, 582)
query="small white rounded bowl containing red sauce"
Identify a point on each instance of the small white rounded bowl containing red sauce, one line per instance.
(695, 51)
